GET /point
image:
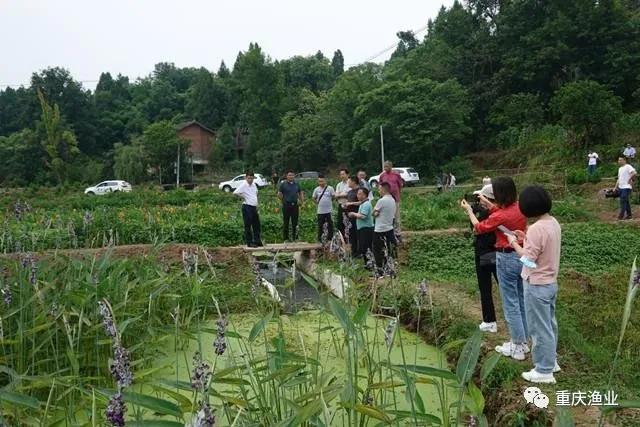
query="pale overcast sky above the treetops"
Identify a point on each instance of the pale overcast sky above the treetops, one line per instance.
(130, 36)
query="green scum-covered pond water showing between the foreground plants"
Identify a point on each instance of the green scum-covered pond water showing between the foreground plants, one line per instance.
(311, 334)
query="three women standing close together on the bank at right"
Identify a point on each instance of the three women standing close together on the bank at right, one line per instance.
(525, 260)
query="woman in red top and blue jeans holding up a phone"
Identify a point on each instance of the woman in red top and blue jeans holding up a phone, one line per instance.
(506, 213)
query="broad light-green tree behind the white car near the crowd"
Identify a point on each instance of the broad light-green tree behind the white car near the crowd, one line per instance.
(425, 122)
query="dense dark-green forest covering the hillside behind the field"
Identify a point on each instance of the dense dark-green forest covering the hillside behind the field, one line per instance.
(485, 71)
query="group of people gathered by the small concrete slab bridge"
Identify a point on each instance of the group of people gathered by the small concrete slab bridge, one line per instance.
(369, 229)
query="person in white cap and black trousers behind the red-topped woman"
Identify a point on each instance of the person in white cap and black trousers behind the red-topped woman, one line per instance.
(485, 258)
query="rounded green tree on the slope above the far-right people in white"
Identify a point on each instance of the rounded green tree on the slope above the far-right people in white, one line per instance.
(588, 110)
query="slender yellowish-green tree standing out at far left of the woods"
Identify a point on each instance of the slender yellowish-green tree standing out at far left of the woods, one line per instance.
(60, 144)
